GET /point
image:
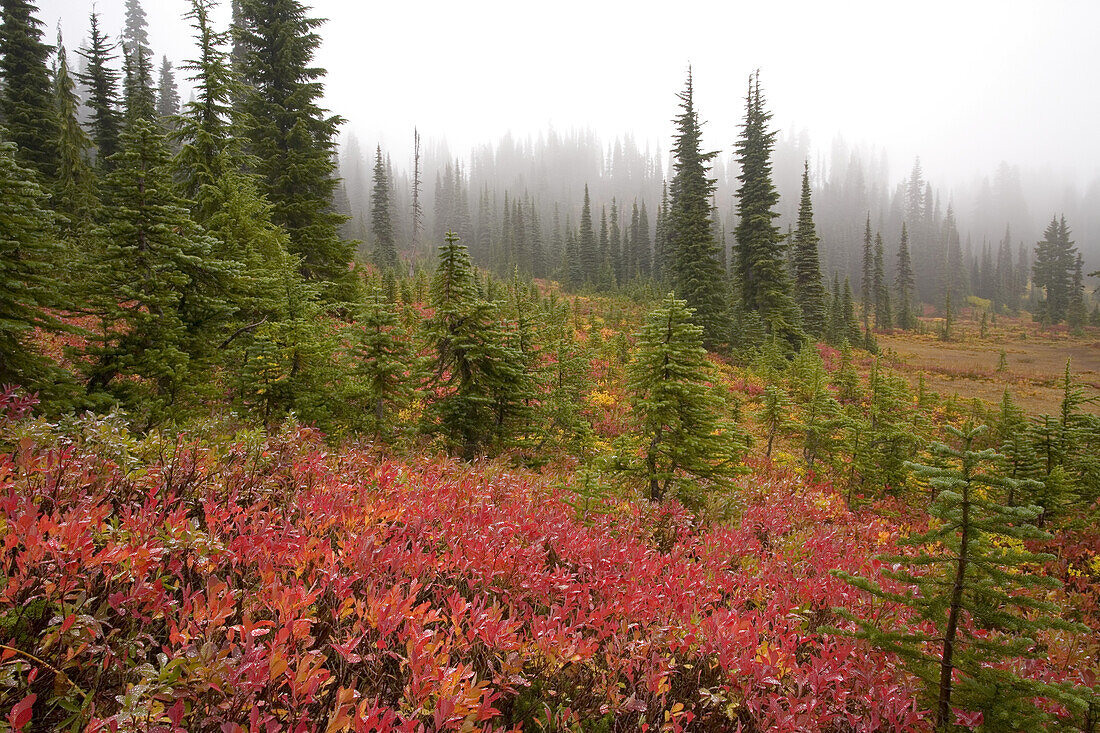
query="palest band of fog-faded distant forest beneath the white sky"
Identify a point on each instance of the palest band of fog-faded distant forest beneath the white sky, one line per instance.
(548, 172)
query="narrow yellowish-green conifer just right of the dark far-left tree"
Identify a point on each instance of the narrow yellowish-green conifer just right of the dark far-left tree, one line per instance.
(75, 185)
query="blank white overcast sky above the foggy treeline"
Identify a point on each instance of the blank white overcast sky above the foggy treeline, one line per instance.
(964, 84)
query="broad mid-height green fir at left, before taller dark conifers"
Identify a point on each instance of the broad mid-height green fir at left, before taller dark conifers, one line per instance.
(160, 286)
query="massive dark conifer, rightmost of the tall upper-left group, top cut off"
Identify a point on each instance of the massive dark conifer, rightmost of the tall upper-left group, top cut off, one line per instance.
(293, 139)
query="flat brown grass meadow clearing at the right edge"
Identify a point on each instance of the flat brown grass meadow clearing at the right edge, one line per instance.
(967, 365)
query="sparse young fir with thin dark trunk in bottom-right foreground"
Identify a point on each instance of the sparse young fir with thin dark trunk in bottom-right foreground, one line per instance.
(970, 581)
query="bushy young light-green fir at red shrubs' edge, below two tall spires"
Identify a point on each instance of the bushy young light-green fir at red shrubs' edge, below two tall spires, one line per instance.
(669, 379)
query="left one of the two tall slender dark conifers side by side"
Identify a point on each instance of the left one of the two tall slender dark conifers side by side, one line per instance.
(694, 264)
